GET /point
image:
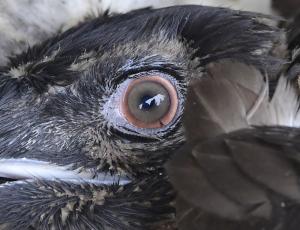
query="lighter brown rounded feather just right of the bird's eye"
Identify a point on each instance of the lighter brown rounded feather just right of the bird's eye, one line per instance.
(223, 101)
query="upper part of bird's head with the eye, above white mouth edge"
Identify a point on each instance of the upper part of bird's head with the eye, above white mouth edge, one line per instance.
(80, 98)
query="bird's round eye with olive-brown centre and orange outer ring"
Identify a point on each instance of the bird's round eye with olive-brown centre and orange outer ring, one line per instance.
(149, 102)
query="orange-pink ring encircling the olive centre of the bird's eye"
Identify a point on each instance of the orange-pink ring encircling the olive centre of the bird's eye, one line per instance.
(163, 120)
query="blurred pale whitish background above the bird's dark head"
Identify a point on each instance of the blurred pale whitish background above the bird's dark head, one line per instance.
(25, 23)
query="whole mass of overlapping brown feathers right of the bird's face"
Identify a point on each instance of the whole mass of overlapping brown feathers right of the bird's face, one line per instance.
(242, 145)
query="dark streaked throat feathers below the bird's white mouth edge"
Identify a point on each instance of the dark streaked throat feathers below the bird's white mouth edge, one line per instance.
(56, 204)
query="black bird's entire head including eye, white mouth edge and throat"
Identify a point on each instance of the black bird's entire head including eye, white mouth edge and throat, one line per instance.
(90, 116)
